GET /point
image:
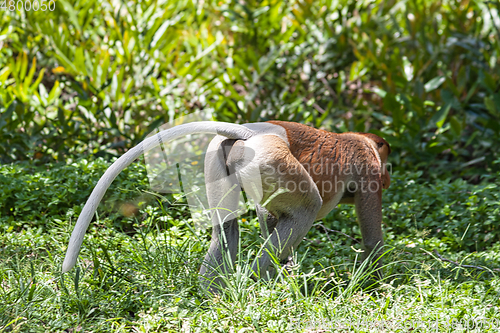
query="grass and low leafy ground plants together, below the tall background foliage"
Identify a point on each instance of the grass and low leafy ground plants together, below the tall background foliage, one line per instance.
(138, 272)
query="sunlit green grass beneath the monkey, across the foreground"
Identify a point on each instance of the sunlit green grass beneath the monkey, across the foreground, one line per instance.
(139, 274)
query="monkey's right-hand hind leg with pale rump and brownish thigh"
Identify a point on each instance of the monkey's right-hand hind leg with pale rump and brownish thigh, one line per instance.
(290, 200)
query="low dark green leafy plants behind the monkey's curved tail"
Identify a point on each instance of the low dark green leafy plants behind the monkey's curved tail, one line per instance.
(34, 196)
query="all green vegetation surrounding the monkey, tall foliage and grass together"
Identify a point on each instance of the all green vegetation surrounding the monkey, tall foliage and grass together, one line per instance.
(85, 82)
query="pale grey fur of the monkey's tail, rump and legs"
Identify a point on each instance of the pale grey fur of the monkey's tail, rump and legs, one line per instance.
(240, 157)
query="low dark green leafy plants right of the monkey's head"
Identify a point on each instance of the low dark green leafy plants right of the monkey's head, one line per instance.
(461, 215)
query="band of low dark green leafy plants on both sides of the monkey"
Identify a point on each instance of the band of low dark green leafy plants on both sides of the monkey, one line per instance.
(461, 215)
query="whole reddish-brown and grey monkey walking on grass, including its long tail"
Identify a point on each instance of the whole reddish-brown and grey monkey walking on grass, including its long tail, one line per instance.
(294, 173)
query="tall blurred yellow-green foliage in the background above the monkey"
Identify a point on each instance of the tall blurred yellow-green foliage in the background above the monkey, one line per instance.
(95, 76)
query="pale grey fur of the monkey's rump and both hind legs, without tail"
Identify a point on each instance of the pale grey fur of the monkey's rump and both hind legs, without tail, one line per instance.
(285, 217)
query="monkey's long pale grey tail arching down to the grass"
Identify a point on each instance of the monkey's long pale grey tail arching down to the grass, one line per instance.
(231, 131)
